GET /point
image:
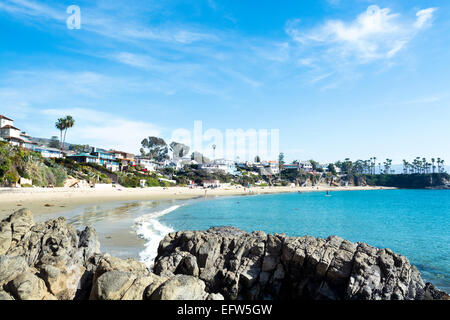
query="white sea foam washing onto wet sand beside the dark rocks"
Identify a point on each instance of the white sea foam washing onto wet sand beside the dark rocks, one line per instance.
(149, 228)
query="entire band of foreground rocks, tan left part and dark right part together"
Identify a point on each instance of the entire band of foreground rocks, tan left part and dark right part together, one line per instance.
(53, 261)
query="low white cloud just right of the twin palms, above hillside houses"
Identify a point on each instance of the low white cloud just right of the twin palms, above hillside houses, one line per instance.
(105, 130)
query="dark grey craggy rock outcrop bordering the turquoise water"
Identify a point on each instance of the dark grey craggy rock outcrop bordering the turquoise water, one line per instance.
(242, 265)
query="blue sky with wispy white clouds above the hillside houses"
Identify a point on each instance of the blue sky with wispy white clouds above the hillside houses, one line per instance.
(353, 78)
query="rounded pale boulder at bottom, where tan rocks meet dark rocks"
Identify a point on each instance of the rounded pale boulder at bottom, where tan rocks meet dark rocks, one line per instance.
(181, 287)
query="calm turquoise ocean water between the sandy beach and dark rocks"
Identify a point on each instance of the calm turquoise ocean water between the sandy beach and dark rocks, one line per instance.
(414, 223)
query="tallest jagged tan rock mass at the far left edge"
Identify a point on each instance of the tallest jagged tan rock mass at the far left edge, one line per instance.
(52, 250)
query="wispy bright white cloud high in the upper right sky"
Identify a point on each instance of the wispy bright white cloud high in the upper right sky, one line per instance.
(375, 34)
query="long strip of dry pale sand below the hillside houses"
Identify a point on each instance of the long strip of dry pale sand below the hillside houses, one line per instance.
(46, 200)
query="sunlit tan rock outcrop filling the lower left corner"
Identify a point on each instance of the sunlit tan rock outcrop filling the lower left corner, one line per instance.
(51, 260)
